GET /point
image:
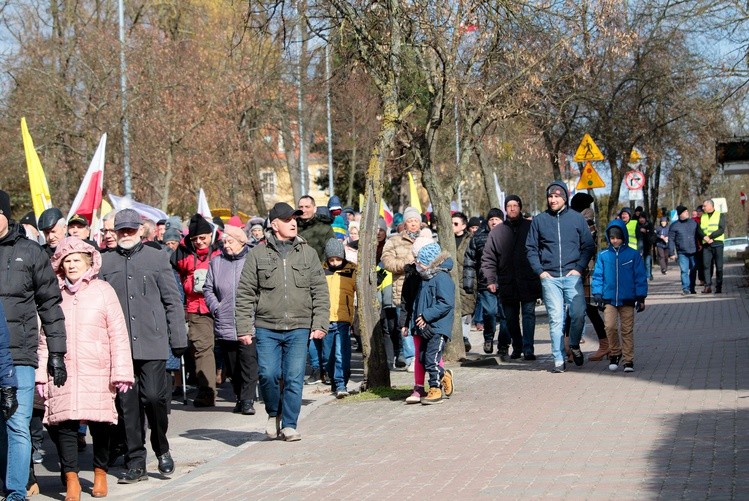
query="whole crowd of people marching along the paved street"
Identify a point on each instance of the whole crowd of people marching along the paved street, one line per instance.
(99, 326)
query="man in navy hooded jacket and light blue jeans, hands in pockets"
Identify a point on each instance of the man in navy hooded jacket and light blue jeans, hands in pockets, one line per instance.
(559, 247)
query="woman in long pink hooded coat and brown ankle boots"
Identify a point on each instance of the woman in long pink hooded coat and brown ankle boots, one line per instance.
(98, 362)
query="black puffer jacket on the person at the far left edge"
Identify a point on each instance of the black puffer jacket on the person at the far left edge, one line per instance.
(28, 287)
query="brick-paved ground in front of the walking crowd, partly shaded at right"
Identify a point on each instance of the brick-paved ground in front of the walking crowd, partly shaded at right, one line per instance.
(676, 428)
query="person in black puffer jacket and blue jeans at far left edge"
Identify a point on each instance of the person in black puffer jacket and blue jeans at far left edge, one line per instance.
(28, 287)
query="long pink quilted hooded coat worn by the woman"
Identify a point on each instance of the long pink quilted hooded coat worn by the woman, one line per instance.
(98, 346)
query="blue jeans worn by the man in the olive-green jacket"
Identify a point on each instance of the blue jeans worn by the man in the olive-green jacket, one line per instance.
(282, 354)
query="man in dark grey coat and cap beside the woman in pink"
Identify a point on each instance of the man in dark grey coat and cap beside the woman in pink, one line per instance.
(155, 319)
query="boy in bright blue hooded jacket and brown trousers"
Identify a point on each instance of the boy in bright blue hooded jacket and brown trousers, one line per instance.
(619, 287)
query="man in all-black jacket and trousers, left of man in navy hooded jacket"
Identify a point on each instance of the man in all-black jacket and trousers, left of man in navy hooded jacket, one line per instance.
(508, 273)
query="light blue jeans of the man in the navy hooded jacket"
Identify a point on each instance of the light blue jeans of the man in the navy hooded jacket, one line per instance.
(556, 293)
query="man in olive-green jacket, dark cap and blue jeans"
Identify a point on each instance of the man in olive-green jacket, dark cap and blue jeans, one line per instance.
(282, 302)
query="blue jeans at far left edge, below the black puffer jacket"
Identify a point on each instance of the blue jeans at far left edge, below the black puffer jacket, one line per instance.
(15, 438)
